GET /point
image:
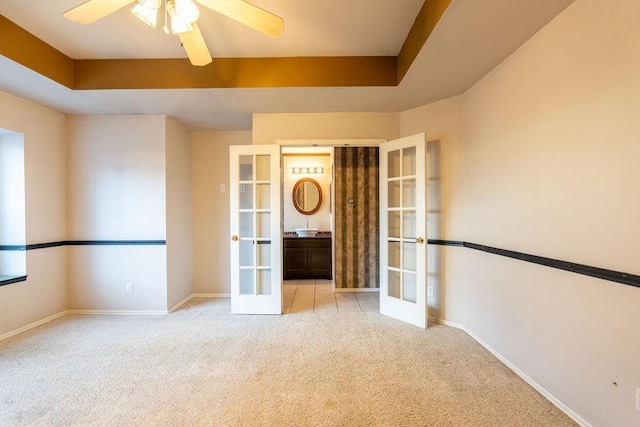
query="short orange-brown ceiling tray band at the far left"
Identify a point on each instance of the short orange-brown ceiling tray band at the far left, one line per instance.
(24, 48)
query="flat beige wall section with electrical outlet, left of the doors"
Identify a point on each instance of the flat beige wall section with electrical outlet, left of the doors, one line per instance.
(116, 183)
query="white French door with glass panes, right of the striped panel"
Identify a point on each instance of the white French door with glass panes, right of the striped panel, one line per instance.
(403, 239)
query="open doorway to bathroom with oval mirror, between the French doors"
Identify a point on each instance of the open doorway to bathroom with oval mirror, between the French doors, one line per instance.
(344, 226)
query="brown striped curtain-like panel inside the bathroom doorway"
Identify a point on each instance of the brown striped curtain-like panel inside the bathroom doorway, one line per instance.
(357, 210)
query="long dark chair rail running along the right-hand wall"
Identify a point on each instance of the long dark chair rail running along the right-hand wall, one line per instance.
(600, 273)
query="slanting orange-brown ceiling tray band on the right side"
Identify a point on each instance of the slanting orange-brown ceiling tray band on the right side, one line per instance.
(426, 21)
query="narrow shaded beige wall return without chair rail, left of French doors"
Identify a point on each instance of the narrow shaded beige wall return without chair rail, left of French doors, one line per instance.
(178, 212)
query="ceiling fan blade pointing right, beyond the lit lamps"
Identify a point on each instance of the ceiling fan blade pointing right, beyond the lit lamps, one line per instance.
(248, 14)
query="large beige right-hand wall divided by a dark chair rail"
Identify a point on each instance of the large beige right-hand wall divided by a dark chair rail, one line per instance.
(552, 144)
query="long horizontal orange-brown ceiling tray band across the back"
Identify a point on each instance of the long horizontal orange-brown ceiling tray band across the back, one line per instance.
(235, 73)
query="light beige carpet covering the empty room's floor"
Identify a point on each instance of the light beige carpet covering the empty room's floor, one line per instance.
(203, 366)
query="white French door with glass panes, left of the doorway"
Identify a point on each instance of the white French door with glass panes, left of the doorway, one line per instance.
(255, 217)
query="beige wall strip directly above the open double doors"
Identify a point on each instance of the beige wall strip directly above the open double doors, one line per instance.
(268, 128)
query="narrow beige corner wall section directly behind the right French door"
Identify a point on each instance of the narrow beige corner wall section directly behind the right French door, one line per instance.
(442, 124)
